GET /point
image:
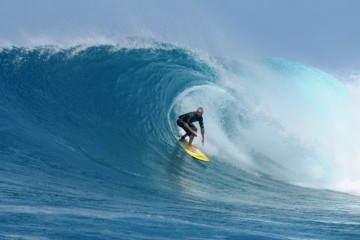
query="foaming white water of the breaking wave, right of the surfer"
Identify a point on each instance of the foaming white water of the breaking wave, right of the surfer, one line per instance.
(293, 122)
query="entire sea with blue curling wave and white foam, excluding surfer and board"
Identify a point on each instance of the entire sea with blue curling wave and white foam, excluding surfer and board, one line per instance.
(88, 151)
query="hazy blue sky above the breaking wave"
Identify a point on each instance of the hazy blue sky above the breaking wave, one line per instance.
(321, 33)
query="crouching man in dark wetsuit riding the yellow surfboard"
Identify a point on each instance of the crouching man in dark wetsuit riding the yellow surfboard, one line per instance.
(185, 122)
